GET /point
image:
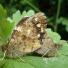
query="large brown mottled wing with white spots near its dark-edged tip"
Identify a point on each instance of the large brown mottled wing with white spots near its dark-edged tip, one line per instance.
(27, 36)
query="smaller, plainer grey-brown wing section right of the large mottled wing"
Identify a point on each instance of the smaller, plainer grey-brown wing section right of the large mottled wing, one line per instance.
(48, 48)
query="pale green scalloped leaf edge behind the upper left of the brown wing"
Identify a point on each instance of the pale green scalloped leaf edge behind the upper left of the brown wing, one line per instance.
(17, 16)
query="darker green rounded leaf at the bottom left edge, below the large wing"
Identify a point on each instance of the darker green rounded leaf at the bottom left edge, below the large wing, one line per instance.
(16, 64)
